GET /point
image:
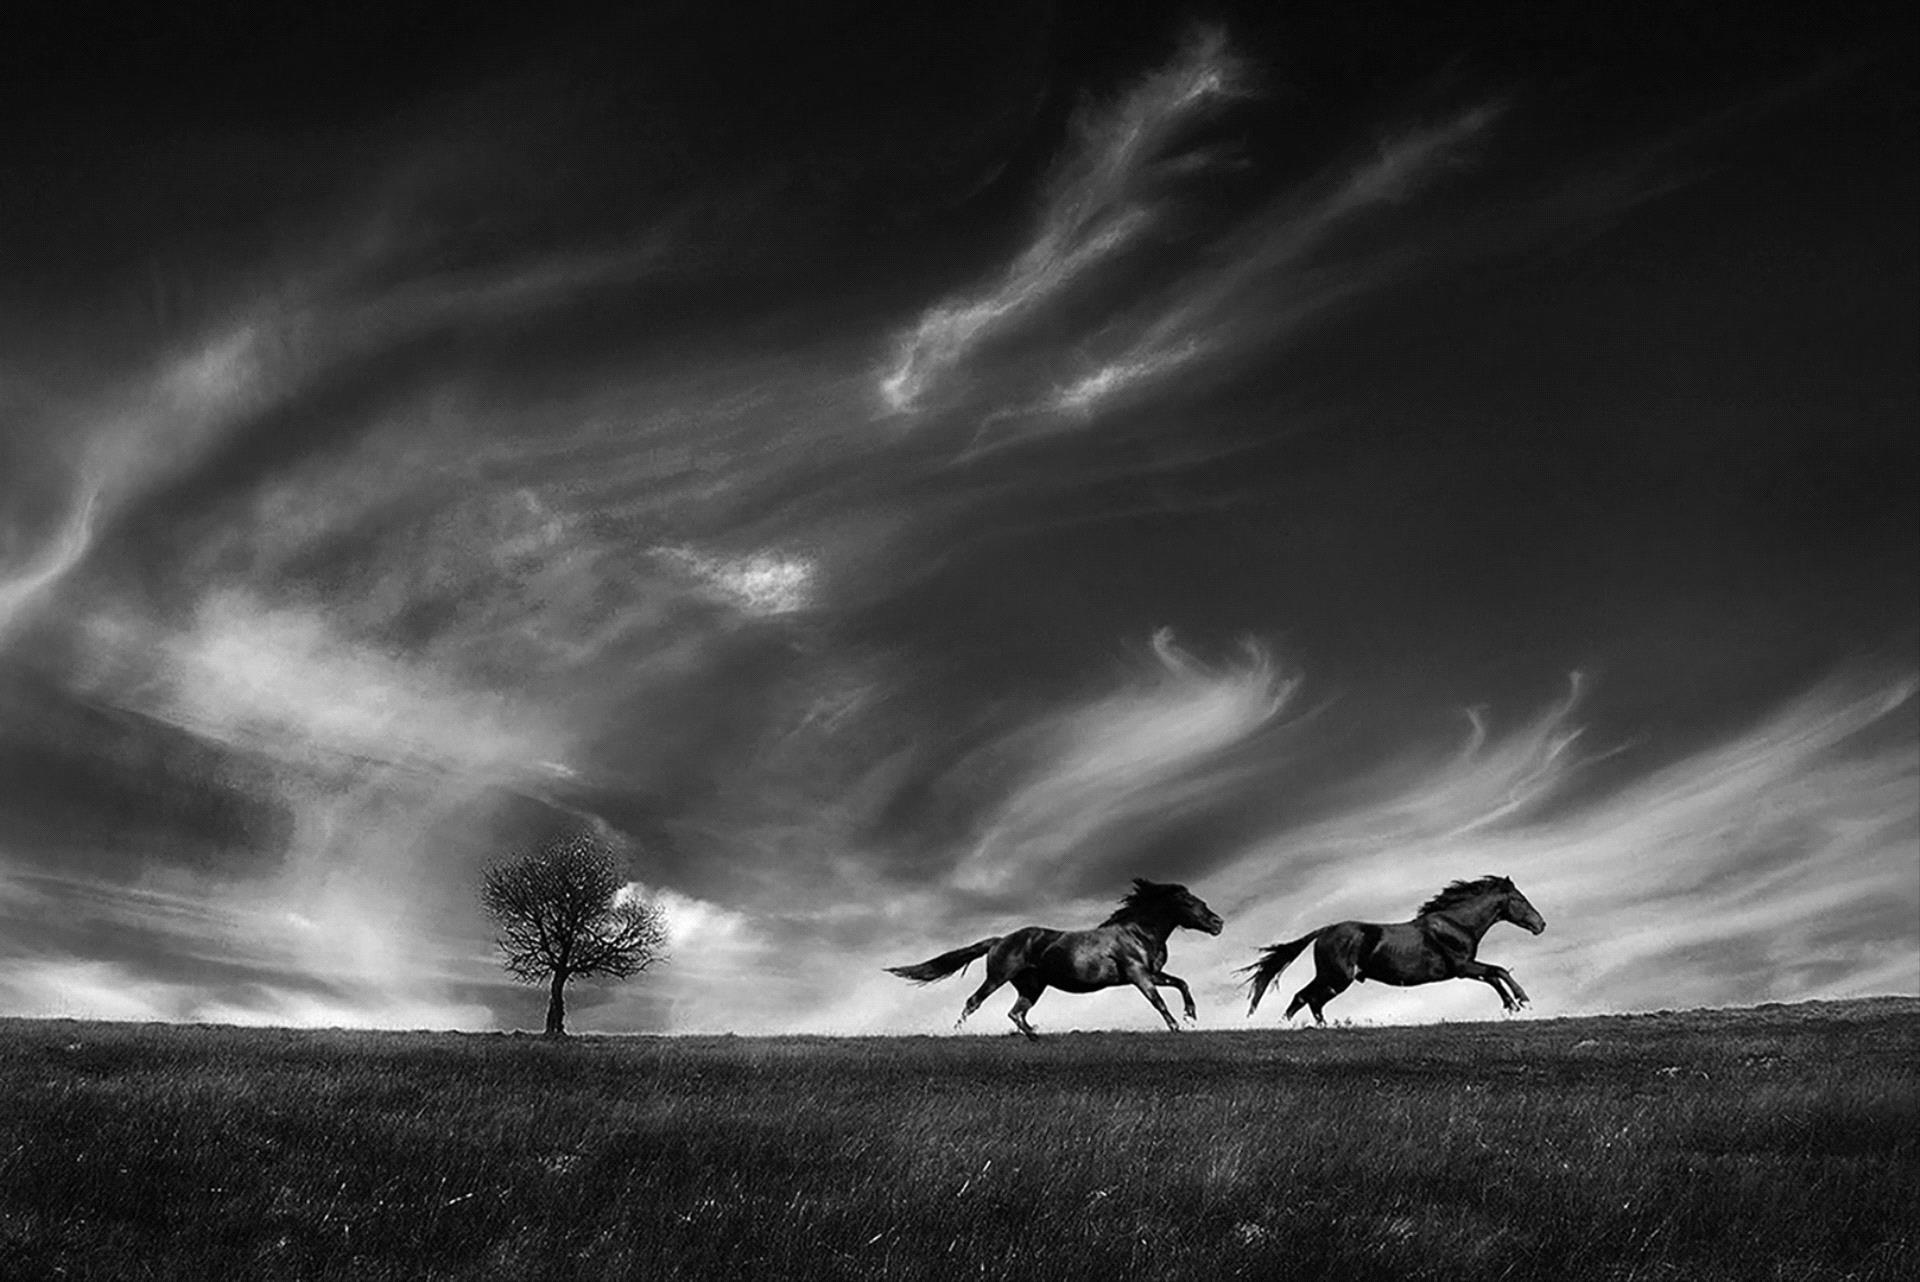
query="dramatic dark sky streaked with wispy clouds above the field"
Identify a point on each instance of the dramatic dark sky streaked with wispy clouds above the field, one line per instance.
(900, 473)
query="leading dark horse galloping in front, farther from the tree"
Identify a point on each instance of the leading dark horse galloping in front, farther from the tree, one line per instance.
(1437, 945)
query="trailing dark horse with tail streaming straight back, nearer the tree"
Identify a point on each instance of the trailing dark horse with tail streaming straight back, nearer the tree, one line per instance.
(1128, 949)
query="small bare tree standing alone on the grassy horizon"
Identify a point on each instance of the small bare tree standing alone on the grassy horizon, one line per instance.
(562, 913)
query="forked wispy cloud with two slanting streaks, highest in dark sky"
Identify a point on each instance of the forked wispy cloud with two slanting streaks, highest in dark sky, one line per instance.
(1251, 283)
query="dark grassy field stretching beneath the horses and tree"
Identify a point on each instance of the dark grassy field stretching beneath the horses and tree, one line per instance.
(1781, 1143)
